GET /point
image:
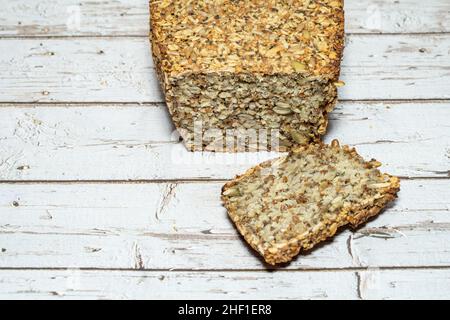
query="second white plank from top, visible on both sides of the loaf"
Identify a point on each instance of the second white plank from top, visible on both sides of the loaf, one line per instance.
(121, 69)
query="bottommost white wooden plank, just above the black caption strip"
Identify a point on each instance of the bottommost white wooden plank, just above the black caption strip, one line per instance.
(85, 284)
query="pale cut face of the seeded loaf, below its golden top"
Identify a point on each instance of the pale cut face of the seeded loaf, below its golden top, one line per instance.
(230, 112)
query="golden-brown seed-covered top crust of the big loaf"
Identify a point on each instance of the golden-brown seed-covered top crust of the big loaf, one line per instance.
(254, 36)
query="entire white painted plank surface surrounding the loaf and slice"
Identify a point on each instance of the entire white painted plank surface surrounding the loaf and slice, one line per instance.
(99, 200)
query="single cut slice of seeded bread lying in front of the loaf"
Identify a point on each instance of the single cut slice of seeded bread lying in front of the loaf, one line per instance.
(292, 203)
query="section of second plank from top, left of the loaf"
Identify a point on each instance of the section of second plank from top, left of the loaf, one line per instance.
(77, 70)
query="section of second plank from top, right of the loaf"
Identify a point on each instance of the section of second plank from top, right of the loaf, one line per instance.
(396, 67)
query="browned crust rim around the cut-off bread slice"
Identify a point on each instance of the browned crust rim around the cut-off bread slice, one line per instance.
(353, 216)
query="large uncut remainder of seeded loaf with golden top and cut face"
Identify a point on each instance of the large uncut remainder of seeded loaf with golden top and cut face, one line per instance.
(248, 75)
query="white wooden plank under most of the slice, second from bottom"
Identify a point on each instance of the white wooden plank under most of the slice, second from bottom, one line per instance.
(183, 226)
